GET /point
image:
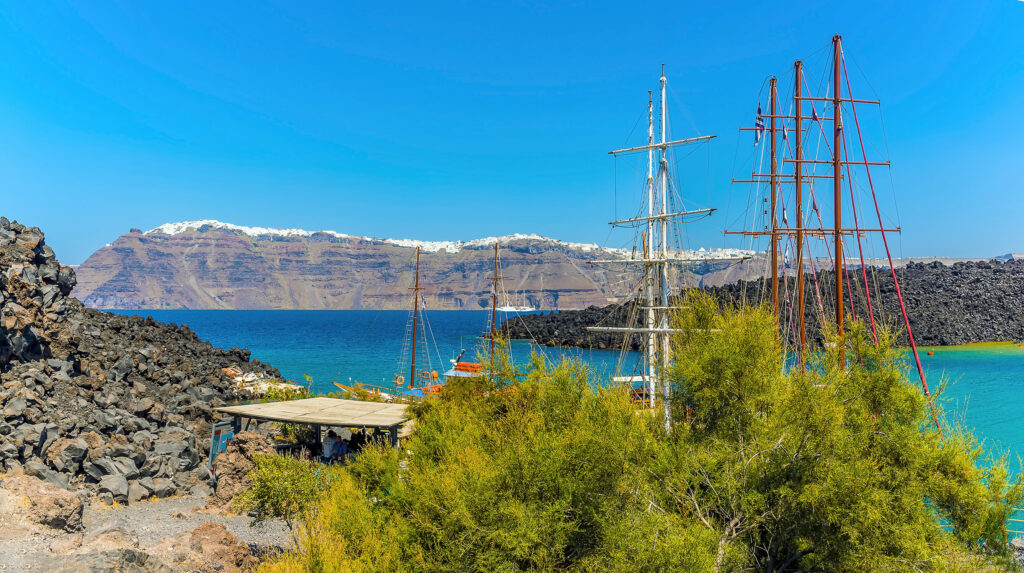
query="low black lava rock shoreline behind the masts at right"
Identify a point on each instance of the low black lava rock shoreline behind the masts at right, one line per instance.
(963, 303)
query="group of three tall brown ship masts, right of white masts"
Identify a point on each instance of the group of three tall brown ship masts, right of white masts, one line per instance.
(822, 164)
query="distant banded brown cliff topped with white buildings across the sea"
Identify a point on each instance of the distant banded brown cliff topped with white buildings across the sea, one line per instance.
(208, 265)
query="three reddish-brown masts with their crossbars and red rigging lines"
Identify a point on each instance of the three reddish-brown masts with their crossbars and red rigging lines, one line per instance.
(842, 105)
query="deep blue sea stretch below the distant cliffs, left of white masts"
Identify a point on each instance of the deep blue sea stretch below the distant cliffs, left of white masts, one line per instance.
(360, 346)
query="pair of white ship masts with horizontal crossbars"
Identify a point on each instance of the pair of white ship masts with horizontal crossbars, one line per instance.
(657, 224)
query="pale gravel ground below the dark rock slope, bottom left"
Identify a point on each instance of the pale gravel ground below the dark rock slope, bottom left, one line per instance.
(23, 549)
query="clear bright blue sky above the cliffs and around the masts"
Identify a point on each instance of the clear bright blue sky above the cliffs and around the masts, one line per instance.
(454, 121)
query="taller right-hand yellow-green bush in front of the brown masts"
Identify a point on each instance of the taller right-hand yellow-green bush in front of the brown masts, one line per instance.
(840, 468)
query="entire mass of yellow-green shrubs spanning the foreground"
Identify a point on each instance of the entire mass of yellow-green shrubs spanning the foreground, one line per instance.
(836, 469)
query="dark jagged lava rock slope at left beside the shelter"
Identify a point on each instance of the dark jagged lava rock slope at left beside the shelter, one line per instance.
(100, 404)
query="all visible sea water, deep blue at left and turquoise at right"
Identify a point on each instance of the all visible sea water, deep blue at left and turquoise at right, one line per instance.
(986, 390)
